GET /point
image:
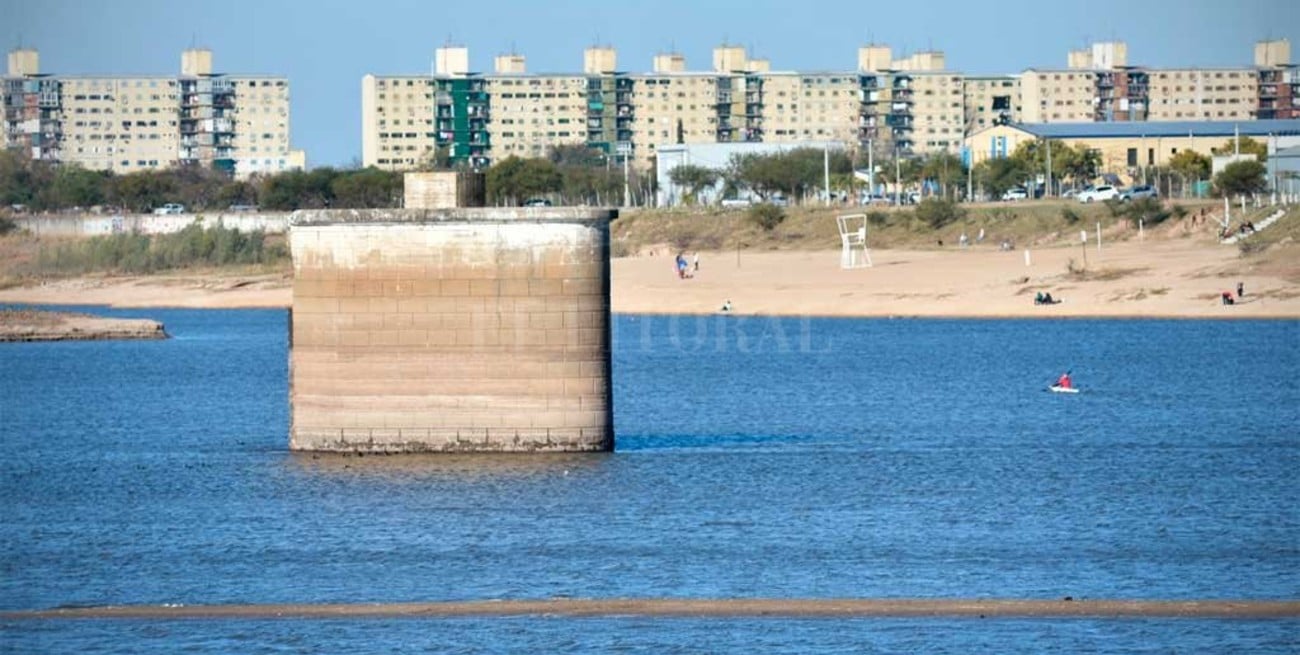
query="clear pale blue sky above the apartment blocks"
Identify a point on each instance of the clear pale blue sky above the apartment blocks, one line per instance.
(326, 47)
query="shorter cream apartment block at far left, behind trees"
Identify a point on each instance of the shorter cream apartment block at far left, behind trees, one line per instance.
(237, 124)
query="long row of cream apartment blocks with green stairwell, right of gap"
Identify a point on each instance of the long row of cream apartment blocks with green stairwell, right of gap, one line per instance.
(909, 106)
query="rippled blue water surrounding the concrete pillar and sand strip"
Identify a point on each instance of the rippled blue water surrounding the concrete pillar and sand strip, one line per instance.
(756, 458)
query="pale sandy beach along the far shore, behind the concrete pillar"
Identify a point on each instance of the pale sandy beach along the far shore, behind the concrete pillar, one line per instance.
(1130, 279)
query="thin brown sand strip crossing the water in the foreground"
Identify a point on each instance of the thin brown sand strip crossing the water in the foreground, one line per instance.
(683, 608)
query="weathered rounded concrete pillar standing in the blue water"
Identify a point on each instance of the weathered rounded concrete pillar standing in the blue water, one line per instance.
(452, 331)
